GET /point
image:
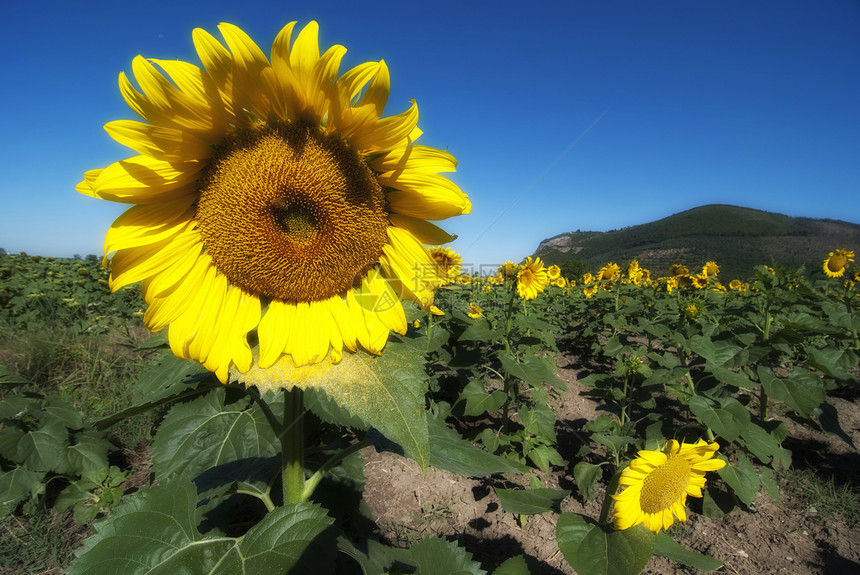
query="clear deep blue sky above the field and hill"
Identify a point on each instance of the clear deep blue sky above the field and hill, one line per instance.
(749, 103)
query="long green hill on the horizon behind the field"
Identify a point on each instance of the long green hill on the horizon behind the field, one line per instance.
(736, 238)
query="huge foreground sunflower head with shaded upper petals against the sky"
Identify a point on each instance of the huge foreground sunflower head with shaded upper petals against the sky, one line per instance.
(273, 194)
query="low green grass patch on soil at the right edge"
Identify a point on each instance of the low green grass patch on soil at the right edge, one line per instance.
(828, 498)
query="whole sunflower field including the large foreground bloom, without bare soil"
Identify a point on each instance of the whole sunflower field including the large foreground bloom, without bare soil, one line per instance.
(306, 316)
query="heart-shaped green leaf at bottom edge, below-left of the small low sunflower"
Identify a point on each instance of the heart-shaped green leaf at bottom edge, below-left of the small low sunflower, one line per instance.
(591, 550)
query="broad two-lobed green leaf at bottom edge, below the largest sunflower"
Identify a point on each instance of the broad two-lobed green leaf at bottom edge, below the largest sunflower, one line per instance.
(155, 532)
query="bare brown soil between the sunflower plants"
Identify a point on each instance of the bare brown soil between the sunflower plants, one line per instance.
(768, 537)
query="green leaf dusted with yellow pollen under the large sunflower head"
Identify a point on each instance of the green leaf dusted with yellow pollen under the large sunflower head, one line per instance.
(386, 392)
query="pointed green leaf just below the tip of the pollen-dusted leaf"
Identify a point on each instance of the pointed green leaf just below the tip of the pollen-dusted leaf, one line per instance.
(451, 452)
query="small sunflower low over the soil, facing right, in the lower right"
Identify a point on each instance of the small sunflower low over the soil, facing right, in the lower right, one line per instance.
(657, 484)
